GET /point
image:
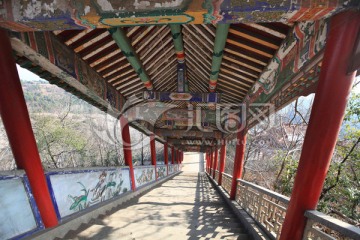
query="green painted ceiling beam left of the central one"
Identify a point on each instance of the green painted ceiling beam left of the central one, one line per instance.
(124, 44)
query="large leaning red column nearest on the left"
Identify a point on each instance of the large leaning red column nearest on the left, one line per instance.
(18, 128)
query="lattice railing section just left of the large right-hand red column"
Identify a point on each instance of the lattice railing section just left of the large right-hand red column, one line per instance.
(268, 208)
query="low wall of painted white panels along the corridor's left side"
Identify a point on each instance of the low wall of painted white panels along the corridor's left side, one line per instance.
(72, 190)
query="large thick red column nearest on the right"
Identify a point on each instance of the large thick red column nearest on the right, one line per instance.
(326, 117)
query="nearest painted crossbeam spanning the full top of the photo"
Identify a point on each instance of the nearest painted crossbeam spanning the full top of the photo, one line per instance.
(21, 15)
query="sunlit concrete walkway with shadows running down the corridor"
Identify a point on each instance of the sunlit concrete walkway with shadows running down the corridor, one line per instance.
(185, 207)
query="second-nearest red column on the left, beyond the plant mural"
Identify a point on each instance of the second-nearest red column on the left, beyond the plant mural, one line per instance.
(126, 141)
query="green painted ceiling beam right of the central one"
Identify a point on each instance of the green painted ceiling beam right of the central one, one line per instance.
(222, 31)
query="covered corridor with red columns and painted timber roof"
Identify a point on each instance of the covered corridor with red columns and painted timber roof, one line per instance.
(190, 76)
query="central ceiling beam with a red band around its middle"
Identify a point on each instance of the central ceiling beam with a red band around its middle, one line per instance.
(183, 85)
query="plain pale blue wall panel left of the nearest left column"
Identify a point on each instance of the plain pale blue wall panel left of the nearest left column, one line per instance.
(19, 215)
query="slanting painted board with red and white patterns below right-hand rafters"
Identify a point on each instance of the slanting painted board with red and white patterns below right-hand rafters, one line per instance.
(306, 40)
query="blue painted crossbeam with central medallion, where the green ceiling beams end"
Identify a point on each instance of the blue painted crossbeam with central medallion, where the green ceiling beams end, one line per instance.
(191, 97)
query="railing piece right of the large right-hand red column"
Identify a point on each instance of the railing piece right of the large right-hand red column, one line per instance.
(321, 226)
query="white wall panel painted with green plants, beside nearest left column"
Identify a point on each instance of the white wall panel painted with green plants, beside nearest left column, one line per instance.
(74, 191)
